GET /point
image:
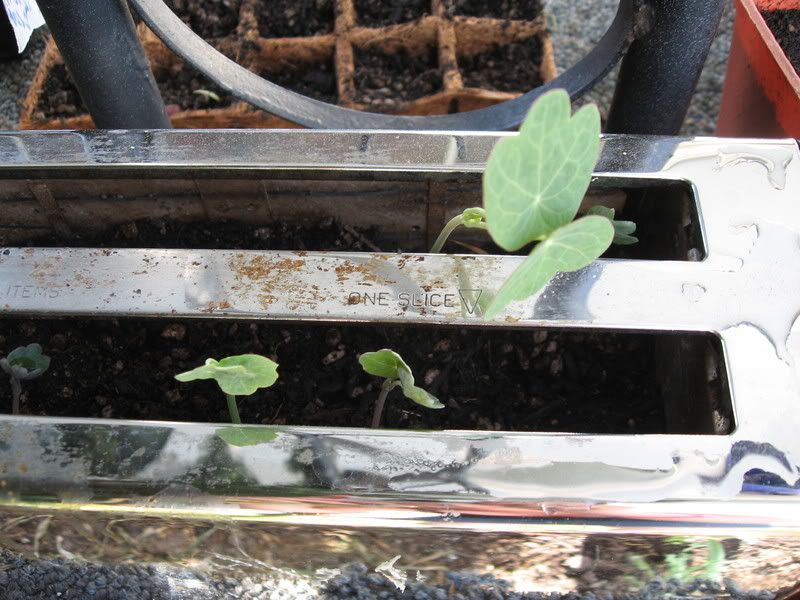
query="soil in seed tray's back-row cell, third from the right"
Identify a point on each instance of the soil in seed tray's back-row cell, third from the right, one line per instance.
(295, 18)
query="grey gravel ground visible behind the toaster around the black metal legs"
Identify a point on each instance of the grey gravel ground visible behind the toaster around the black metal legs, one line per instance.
(576, 27)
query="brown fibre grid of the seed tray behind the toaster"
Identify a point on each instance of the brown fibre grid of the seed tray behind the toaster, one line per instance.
(447, 38)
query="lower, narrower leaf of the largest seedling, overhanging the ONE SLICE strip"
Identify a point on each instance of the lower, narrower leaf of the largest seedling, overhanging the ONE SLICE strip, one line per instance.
(569, 248)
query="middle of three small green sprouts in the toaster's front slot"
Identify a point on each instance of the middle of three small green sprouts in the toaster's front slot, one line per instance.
(238, 375)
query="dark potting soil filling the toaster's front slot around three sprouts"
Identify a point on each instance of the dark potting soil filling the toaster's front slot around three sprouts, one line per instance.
(488, 379)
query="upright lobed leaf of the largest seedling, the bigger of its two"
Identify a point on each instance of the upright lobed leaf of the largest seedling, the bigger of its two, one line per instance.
(534, 182)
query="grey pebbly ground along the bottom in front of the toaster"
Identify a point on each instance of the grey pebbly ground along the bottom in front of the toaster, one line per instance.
(22, 579)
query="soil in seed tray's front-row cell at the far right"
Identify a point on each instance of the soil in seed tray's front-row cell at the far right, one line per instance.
(511, 68)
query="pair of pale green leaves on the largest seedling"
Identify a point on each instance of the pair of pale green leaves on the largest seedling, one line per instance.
(532, 188)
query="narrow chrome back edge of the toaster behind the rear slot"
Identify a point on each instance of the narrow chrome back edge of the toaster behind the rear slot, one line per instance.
(267, 152)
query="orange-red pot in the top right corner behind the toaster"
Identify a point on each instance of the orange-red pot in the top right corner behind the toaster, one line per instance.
(761, 97)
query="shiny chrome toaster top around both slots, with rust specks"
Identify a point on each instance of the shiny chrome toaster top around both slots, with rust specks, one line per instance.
(746, 291)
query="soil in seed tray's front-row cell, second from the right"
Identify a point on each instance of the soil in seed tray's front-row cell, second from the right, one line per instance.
(384, 80)
